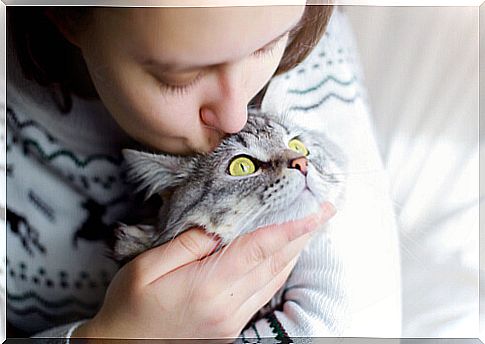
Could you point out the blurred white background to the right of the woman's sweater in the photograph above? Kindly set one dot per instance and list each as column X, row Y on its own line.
column 421, row 68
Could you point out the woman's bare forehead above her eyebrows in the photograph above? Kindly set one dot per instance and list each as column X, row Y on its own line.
column 187, row 37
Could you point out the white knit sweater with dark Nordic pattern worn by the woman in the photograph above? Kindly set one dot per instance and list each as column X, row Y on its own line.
column 64, row 178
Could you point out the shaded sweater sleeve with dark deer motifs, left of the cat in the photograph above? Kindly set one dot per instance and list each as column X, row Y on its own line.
column 65, row 189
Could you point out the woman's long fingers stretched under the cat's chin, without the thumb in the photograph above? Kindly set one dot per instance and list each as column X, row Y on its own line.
column 266, row 251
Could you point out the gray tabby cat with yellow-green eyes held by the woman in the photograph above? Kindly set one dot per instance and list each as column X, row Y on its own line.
column 271, row 172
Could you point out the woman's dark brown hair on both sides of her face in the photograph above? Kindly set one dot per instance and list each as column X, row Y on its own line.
column 48, row 58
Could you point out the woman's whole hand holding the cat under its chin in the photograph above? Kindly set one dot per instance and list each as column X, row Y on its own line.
column 179, row 290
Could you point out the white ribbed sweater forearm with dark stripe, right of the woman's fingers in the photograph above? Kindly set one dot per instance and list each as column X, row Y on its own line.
column 314, row 300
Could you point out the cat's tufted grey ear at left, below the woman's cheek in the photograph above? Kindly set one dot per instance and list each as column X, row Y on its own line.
column 155, row 173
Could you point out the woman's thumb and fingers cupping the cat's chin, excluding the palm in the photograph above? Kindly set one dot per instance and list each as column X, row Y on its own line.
column 216, row 273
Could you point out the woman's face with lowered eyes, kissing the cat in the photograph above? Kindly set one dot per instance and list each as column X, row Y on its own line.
column 178, row 79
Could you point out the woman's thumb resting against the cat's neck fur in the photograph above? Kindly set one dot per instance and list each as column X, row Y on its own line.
column 190, row 246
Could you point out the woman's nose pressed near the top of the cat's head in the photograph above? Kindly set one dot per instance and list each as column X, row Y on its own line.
column 226, row 109
